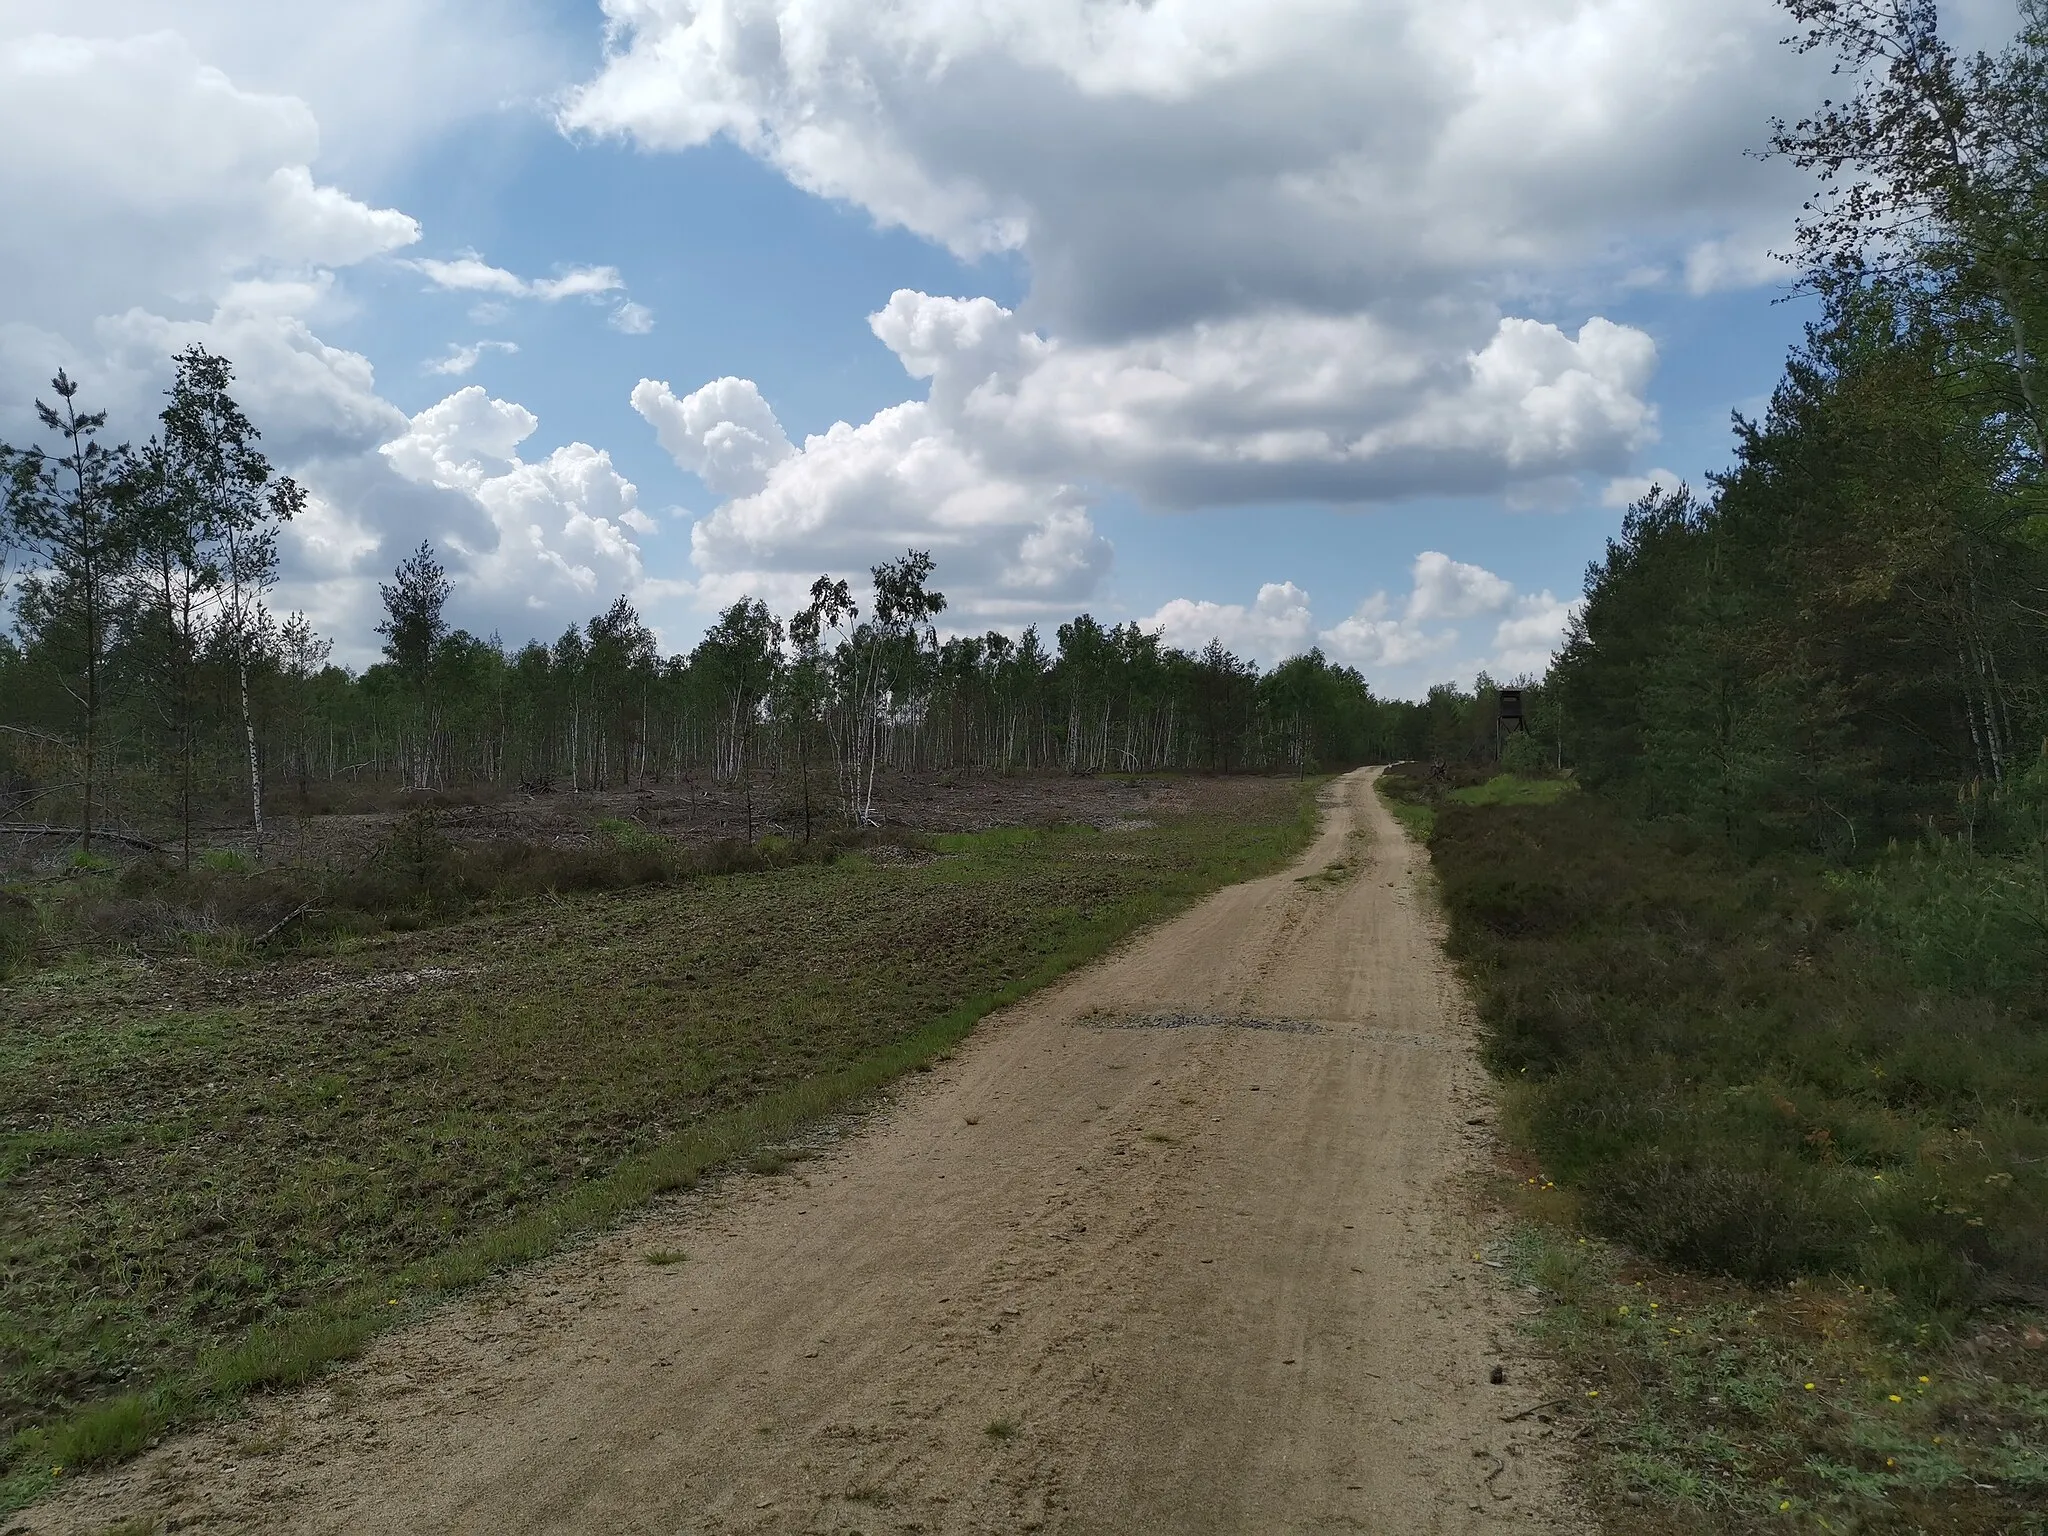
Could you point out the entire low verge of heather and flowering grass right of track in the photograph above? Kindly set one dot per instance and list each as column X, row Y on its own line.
column 1809, row 1166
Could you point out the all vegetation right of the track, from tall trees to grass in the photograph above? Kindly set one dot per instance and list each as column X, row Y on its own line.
column 1773, row 1000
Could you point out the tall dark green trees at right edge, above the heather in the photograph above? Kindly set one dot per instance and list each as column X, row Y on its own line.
column 1848, row 630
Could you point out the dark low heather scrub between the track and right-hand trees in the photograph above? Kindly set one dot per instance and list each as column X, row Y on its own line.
column 1734, row 1076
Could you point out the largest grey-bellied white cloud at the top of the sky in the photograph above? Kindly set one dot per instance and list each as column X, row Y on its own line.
column 1193, row 159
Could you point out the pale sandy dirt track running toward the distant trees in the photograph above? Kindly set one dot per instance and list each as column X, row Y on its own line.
column 1195, row 1275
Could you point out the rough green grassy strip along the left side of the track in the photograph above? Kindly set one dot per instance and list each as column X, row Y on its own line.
column 245, row 1177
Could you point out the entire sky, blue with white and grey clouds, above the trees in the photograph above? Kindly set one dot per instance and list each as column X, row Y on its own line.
column 1273, row 321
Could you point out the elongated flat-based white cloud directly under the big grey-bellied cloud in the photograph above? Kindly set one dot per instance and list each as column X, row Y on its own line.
column 1281, row 404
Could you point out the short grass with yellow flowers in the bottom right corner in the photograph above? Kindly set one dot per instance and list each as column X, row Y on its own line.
column 1713, row 1408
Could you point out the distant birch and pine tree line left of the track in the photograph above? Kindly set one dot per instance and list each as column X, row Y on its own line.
column 148, row 685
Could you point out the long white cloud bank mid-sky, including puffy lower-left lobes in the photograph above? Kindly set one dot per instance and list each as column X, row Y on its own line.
column 996, row 468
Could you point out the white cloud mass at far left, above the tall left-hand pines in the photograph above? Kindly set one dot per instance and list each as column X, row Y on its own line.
column 185, row 210
